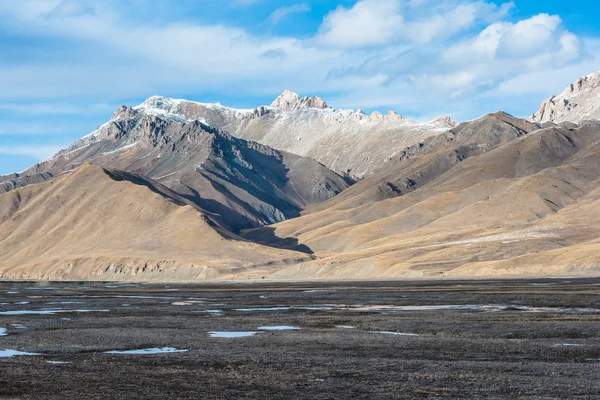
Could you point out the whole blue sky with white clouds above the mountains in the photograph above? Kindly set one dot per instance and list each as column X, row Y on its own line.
column 66, row 65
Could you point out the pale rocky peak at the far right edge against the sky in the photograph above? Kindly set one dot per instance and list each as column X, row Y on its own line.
column 580, row 101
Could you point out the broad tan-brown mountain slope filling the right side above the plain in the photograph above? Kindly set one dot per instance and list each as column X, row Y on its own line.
column 497, row 196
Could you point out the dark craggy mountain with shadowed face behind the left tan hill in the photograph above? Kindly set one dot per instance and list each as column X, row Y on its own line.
column 242, row 184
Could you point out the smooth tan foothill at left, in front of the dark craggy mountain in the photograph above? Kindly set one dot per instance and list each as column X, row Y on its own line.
column 99, row 224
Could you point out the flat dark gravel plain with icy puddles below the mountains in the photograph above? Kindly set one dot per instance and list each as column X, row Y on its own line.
column 537, row 339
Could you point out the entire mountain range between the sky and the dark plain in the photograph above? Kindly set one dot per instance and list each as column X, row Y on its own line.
column 179, row 190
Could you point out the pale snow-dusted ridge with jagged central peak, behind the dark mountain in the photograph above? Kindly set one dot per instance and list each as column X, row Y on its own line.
column 345, row 141
